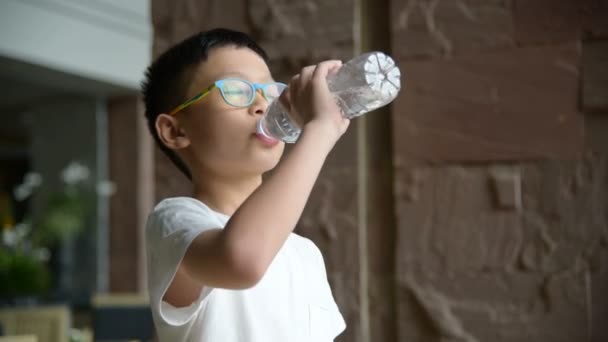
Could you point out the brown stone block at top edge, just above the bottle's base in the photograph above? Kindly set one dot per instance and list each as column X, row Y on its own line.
column 423, row 28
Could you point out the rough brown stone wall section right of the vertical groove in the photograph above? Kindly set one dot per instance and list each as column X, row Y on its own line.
column 501, row 172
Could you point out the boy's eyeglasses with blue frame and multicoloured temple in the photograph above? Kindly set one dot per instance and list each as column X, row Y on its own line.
column 237, row 92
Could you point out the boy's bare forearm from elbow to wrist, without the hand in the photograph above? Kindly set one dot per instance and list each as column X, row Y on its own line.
column 259, row 228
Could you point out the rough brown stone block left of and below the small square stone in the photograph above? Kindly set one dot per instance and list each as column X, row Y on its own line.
column 453, row 225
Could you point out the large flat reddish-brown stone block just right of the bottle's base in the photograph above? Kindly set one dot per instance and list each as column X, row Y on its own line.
column 500, row 106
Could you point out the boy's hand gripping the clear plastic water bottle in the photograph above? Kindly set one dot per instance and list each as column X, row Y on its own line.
column 311, row 104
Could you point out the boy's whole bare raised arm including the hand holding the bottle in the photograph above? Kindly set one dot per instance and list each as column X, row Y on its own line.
column 238, row 256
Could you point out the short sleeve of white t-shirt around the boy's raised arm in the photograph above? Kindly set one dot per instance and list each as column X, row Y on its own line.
column 170, row 230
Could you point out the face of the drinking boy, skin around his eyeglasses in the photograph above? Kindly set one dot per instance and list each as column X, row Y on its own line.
column 222, row 138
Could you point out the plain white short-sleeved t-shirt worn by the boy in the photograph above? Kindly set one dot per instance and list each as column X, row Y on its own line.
column 292, row 302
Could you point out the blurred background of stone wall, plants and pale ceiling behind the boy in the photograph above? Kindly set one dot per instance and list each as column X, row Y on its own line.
column 474, row 208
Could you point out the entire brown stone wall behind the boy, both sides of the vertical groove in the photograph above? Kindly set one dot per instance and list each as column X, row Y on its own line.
column 475, row 208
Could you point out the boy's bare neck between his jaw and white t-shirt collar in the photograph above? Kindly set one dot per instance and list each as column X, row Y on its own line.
column 225, row 195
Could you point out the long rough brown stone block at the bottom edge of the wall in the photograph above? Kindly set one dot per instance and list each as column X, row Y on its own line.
column 497, row 306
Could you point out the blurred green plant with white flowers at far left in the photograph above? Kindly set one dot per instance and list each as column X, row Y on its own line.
column 24, row 248
